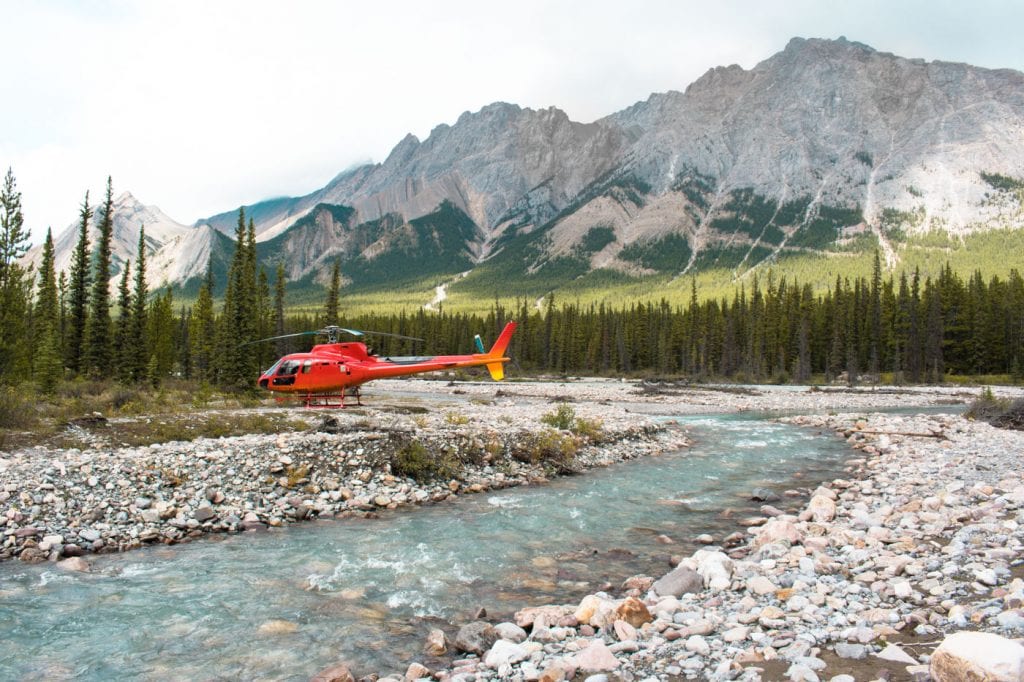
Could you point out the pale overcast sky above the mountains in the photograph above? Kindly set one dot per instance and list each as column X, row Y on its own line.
column 201, row 107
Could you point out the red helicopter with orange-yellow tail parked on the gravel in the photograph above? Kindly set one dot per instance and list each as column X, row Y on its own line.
column 323, row 377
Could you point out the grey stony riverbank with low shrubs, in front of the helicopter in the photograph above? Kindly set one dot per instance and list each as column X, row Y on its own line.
column 61, row 504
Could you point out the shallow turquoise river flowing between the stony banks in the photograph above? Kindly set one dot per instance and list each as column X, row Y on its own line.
column 285, row 604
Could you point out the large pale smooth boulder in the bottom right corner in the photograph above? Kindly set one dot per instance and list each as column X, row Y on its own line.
column 967, row 657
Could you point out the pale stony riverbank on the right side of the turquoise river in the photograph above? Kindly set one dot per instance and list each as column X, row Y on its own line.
column 923, row 539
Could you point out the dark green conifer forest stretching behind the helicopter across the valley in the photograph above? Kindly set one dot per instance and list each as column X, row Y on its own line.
column 56, row 327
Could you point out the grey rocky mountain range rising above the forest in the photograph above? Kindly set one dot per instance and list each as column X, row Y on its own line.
column 824, row 141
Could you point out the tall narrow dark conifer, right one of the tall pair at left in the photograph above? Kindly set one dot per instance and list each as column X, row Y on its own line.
column 100, row 354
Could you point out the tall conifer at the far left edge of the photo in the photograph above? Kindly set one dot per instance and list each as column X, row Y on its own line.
column 16, row 285
